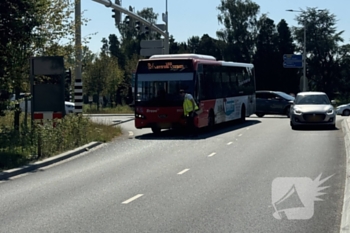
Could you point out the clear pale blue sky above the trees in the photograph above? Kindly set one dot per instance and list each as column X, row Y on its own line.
column 189, row 18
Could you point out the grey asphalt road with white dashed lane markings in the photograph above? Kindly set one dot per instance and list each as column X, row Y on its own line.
column 227, row 180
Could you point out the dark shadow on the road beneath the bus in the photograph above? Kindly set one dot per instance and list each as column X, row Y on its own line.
column 202, row 133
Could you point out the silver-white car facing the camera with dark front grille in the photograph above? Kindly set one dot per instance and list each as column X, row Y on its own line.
column 312, row 108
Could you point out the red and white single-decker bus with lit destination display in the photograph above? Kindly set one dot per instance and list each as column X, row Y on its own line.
column 224, row 91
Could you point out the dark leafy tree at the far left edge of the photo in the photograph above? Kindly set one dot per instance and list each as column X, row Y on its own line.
column 18, row 19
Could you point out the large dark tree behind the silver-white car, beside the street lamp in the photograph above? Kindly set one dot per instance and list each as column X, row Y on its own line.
column 322, row 49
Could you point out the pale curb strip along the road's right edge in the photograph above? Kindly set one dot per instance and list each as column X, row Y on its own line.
column 345, row 219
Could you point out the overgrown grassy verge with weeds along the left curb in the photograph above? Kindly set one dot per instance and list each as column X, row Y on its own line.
column 30, row 144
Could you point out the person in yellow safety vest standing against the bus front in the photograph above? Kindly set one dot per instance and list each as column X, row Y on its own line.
column 190, row 107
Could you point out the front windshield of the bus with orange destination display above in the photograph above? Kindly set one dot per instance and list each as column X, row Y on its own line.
column 158, row 82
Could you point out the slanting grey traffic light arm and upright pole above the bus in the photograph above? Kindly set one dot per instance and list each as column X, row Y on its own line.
column 108, row 3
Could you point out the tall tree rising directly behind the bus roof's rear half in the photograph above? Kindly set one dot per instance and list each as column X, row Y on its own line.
column 239, row 20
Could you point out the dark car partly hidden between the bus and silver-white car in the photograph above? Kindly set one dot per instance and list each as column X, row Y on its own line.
column 272, row 103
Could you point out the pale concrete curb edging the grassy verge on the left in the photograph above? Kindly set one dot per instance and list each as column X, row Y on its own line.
column 34, row 166
